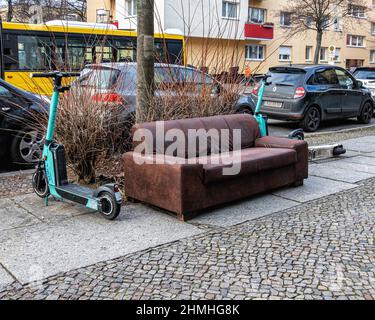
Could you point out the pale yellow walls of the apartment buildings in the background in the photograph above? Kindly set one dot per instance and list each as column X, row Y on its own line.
column 222, row 54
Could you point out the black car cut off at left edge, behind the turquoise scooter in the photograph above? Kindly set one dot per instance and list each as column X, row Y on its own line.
column 20, row 141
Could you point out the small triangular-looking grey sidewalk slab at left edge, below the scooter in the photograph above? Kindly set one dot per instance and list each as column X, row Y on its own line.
column 13, row 216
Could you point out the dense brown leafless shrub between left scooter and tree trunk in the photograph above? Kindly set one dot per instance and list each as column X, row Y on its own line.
column 89, row 131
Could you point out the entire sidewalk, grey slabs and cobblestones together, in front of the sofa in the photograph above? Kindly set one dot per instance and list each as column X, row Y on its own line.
column 312, row 242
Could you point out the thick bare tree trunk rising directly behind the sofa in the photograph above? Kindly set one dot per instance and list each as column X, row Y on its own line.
column 145, row 57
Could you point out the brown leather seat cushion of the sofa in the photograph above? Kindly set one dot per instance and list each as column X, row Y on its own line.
column 250, row 161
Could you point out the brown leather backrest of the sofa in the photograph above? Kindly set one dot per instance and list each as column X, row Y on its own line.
column 212, row 143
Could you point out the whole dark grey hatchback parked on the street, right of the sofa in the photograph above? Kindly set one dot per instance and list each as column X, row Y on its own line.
column 314, row 93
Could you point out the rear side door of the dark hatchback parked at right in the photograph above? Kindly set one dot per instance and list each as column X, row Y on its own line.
column 325, row 86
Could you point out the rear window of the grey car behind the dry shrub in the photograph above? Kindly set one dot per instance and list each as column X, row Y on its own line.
column 98, row 77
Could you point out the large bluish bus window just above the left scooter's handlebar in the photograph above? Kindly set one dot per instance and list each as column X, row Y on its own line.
column 33, row 53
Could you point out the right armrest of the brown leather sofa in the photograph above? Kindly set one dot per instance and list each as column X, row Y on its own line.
column 300, row 146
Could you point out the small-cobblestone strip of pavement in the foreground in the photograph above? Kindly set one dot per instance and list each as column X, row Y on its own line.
column 323, row 249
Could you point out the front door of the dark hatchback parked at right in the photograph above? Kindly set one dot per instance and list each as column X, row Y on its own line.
column 352, row 95
